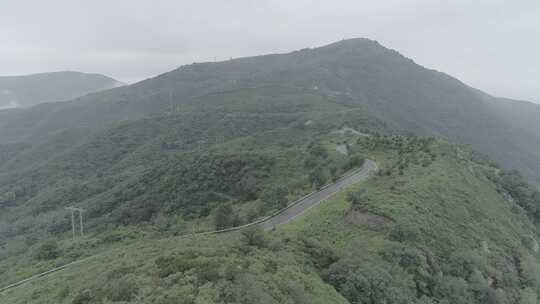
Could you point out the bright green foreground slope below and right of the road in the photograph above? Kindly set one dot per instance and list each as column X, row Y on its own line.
column 434, row 230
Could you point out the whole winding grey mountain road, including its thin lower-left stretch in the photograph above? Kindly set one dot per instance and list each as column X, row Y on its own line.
column 282, row 217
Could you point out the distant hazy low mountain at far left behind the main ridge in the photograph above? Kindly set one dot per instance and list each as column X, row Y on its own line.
column 30, row 90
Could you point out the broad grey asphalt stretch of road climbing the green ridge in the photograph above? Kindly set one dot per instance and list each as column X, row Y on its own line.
column 313, row 199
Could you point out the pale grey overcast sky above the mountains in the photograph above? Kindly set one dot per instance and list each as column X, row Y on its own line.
column 493, row 45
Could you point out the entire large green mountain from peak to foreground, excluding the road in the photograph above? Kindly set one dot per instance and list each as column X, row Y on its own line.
column 216, row 145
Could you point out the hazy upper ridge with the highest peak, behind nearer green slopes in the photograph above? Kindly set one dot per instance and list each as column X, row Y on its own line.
column 357, row 73
